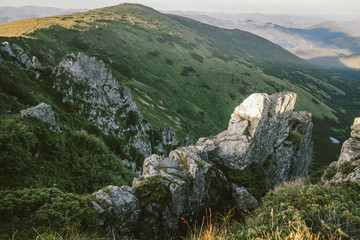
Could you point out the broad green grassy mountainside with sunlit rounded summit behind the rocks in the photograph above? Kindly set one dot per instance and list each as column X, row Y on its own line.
column 187, row 74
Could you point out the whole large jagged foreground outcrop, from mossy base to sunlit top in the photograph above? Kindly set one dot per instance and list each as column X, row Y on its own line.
column 266, row 143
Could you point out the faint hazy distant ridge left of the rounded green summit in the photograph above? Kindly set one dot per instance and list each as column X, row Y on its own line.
column 9, row 14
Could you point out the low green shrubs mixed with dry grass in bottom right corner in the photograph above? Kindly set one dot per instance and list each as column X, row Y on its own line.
column 326, row 211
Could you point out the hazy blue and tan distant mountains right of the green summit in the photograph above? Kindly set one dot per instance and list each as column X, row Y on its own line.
column 318, row 40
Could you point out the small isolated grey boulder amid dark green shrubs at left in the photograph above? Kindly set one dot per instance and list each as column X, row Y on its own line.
column 43, row 112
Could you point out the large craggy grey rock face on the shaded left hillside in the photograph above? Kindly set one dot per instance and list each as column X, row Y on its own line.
column 90, row 87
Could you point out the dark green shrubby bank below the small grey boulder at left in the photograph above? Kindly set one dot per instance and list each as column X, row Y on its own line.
column 34, row 156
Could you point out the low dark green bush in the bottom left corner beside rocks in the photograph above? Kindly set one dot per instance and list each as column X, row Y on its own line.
column 22, row 211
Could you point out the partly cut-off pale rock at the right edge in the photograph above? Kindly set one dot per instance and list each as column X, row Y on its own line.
column 347, row 168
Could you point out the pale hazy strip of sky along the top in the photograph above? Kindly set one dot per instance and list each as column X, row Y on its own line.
column 341, row 7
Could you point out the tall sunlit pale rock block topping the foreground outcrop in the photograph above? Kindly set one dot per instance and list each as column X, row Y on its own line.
column 264, row 130
